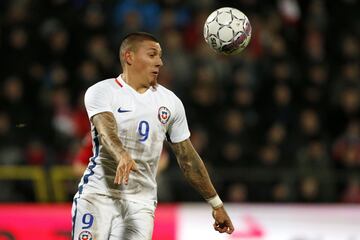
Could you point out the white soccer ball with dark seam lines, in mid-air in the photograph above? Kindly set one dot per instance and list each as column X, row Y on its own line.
column 227, row 30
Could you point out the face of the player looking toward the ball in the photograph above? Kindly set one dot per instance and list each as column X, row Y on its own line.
column 148, row 62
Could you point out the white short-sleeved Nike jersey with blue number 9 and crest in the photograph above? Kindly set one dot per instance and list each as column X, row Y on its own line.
column 143, row 121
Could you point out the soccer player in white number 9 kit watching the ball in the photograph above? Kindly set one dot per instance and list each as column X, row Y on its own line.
column 131, row 116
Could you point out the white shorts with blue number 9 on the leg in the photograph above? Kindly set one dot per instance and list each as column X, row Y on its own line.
column 100, row 217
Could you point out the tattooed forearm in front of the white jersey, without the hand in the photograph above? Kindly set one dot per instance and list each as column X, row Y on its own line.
column 107, row 129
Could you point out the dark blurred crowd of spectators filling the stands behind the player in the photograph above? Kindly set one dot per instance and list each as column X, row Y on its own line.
column 277, row 123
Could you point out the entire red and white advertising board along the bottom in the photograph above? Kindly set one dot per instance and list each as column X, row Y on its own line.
column 194, row 222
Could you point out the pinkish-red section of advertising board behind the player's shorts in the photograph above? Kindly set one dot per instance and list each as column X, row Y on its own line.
column 53, row 222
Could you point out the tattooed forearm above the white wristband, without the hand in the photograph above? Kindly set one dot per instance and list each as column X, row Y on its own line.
column 194, row 169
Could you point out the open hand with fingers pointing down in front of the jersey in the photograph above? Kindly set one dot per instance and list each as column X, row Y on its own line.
column 125, row 165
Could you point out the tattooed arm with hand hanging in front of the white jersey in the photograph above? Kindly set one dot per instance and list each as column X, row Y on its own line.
column 106, row 127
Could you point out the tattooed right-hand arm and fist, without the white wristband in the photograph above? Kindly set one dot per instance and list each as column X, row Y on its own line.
column 195, row 172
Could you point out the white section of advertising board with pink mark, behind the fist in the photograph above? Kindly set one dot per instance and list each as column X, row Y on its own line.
column 274, row 222
